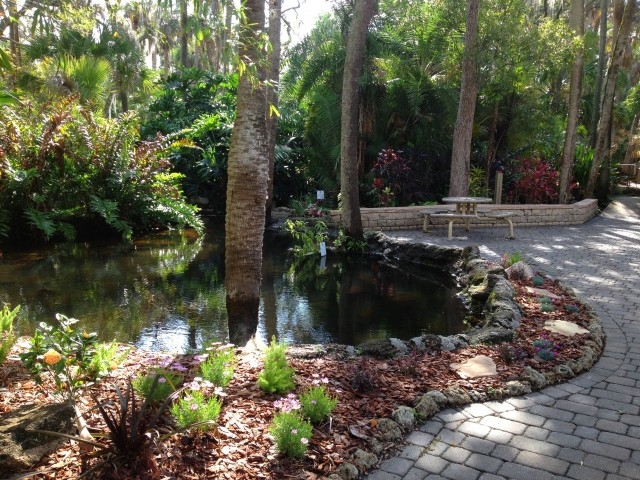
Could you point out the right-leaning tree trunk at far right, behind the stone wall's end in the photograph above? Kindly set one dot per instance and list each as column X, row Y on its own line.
column 604, row 125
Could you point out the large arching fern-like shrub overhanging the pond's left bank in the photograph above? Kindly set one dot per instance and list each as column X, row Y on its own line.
column 66, row 170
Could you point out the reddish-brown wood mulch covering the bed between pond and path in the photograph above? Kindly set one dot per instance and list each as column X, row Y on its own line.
column 241, row 447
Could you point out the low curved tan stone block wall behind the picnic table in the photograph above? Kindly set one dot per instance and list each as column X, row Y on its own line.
column 408, row 218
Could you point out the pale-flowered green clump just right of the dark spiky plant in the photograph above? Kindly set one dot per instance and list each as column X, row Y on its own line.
column 194, row 410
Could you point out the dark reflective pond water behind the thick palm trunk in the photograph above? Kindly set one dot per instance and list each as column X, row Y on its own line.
column 166, row 292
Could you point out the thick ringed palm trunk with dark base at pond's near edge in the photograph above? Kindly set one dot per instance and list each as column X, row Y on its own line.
column 247, row 187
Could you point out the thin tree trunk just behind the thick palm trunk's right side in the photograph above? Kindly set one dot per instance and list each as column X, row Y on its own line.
column 275, row 12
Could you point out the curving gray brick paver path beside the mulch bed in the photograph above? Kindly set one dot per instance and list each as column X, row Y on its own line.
column 586, row 429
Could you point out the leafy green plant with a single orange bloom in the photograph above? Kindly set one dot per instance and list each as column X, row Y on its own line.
column 62, row 351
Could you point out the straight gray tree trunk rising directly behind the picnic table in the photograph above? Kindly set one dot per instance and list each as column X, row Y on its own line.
column 463, row 129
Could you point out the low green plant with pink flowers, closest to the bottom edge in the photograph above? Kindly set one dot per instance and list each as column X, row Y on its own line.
column 290, row 430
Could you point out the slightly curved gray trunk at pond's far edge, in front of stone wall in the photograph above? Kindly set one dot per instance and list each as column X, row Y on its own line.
column 350, row 115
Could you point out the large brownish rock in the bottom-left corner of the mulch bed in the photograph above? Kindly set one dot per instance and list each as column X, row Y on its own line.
column 20, row 445
